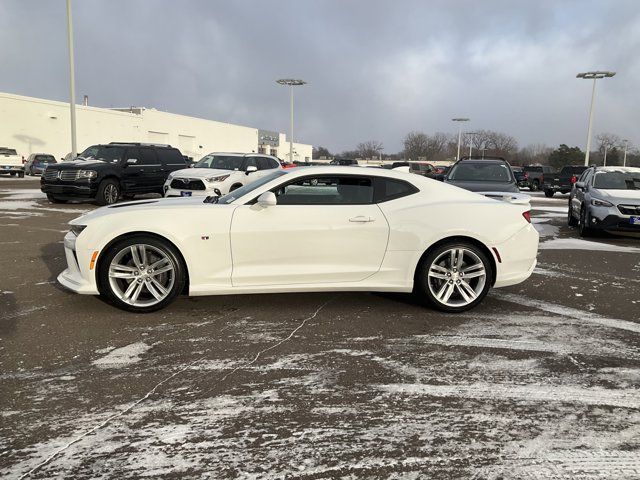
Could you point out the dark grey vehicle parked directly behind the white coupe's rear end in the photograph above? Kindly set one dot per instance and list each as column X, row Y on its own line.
column 482, row 175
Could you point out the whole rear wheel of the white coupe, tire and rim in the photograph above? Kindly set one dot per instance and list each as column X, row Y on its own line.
column 454, row 277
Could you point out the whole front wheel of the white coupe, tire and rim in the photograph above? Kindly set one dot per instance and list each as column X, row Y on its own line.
column 141, row 274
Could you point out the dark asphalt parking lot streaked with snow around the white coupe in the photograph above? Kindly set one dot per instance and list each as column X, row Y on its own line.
column 540, row 381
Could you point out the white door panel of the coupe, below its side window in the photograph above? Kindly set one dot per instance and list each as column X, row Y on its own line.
column 306, row 244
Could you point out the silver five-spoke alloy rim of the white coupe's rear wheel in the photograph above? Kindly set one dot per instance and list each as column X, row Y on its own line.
column 456, row 277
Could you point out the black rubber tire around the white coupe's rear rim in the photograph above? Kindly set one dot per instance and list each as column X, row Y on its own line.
column 422, row 287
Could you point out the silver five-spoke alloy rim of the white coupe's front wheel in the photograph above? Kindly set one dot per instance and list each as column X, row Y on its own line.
column 141, row 275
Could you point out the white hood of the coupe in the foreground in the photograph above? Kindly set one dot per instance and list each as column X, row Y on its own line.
column 142, row 207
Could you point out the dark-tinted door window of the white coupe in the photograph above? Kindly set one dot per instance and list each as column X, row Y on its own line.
column 323, row 190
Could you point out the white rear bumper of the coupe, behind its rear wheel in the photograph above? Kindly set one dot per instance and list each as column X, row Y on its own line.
column 518, row 257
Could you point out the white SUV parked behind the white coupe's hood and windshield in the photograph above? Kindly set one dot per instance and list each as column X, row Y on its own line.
column 219, row 173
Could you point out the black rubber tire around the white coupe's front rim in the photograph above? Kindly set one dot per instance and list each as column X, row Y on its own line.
column 179, row 269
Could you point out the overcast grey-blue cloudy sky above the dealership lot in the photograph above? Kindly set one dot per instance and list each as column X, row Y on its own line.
column 376, row 69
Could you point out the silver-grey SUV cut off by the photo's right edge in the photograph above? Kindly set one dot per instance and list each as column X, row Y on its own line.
column 606, row 198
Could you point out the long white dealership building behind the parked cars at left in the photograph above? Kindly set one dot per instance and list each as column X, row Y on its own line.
column 35, row 125
